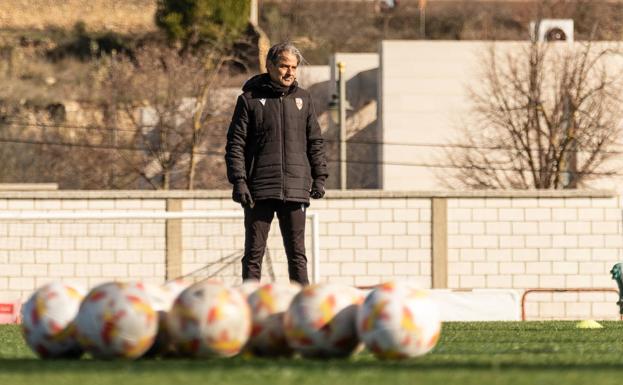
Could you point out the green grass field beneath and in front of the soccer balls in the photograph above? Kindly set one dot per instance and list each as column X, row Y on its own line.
column 468, row 353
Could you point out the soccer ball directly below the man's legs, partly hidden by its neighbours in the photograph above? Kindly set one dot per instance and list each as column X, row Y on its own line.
column 268, row 305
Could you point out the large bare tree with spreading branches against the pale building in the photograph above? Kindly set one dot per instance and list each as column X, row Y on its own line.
column 544, row 116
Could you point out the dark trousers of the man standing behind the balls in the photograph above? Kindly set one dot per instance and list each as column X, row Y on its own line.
column 257, row 222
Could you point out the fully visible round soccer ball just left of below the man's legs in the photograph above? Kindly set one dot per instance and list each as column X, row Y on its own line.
column 209, row 319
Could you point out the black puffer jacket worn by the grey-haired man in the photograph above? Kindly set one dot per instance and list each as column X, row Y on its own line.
column 274, row 142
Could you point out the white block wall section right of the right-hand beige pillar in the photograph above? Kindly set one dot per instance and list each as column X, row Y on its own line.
column 520, row 243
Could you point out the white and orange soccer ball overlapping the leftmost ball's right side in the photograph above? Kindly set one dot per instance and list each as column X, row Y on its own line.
column 117, row 320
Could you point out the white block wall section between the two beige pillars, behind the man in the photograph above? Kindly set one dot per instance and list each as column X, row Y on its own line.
column 363, row 241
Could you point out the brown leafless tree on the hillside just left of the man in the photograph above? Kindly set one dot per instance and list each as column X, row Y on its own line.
column 159, row 101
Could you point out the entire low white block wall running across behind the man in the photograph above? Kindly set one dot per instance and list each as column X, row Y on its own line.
column 497, row 240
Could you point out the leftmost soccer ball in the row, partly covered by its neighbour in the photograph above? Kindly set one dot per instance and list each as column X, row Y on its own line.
column 48, row 320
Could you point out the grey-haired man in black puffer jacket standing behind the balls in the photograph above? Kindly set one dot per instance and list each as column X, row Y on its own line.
column 275, row 160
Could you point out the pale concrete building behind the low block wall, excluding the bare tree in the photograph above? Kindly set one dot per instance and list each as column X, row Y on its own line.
column 423, row 95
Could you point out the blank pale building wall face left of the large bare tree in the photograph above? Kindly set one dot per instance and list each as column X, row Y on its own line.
column 423, row 94
